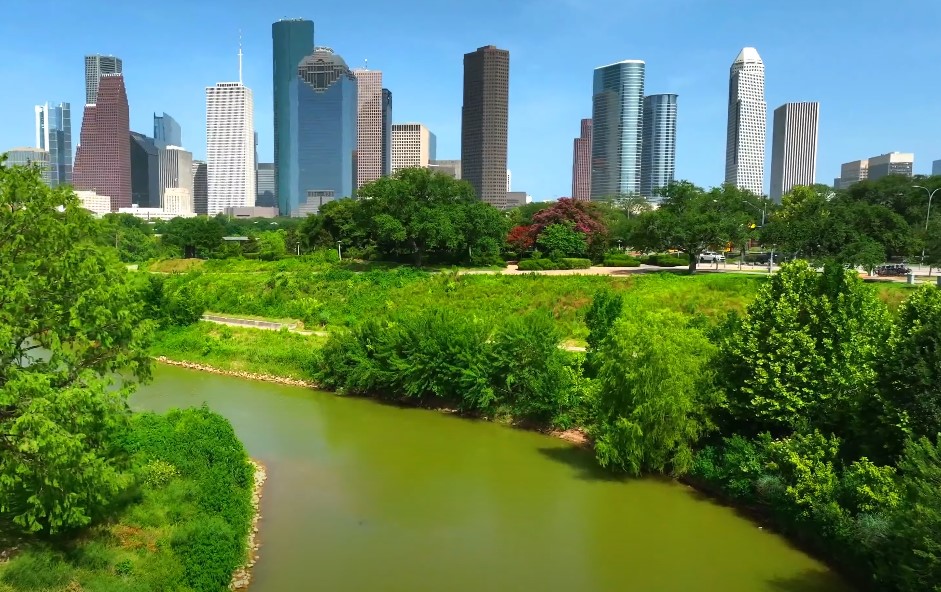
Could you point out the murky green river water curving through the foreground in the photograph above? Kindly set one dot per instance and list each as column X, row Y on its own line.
column 368, row 497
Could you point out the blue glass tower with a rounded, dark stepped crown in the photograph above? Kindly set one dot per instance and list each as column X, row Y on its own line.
column 324, row 105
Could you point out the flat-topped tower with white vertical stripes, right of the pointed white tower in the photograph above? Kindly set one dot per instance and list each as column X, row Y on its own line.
column 794, row 147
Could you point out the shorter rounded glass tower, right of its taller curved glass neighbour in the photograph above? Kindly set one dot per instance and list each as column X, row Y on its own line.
column 658, row 160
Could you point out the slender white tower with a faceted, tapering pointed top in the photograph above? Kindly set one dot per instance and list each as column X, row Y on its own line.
column 745, row 139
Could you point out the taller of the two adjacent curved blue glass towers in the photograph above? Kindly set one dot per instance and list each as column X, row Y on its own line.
column 617, row 109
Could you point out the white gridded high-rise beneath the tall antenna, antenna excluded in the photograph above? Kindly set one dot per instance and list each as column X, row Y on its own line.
column 230, row 150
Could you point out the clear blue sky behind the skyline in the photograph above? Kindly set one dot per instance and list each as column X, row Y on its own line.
column 872, row 65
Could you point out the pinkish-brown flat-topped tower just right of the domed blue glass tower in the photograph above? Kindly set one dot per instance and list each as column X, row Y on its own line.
column 368, row 125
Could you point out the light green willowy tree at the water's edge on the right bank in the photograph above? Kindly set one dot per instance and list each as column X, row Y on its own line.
column 655, row 393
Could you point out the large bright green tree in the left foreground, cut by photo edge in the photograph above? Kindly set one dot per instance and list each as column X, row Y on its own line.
column 69, row 322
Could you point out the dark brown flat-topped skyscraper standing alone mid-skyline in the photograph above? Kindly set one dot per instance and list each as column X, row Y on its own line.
column 484, row 122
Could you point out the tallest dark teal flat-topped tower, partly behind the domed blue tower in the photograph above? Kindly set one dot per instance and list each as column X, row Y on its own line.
column 293, row 40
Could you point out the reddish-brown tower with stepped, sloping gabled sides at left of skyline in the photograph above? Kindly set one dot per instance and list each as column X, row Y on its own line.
column 103, row 159
